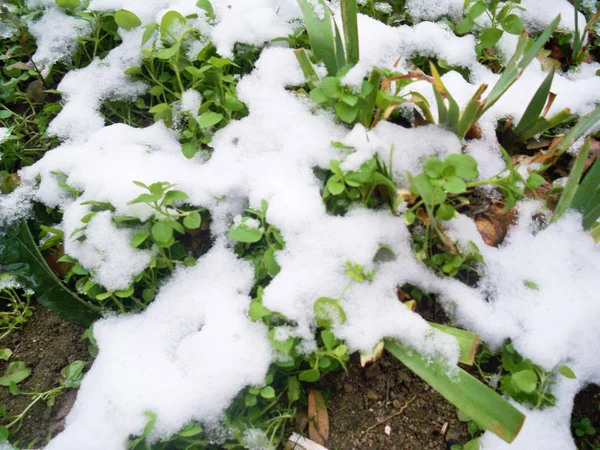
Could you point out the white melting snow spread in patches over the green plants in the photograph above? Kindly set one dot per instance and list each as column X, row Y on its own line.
column 194, row 348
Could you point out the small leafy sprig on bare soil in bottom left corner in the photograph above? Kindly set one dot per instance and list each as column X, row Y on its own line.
column 70, row 379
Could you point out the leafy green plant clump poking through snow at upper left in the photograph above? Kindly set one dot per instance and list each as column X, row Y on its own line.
column 174, row 74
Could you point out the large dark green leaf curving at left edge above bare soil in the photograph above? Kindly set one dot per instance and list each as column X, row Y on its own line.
column 20, row 256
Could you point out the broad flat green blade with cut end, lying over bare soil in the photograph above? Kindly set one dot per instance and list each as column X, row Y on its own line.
column 478, row 401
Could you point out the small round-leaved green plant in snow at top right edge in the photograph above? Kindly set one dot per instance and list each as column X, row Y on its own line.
column 501, row 17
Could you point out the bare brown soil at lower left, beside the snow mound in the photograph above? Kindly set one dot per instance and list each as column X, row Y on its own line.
column 46, row 343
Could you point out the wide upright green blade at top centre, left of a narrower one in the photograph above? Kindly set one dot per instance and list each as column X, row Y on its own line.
column 317, row 18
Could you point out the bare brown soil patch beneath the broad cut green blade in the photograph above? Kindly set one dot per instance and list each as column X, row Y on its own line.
column 386, row 406
